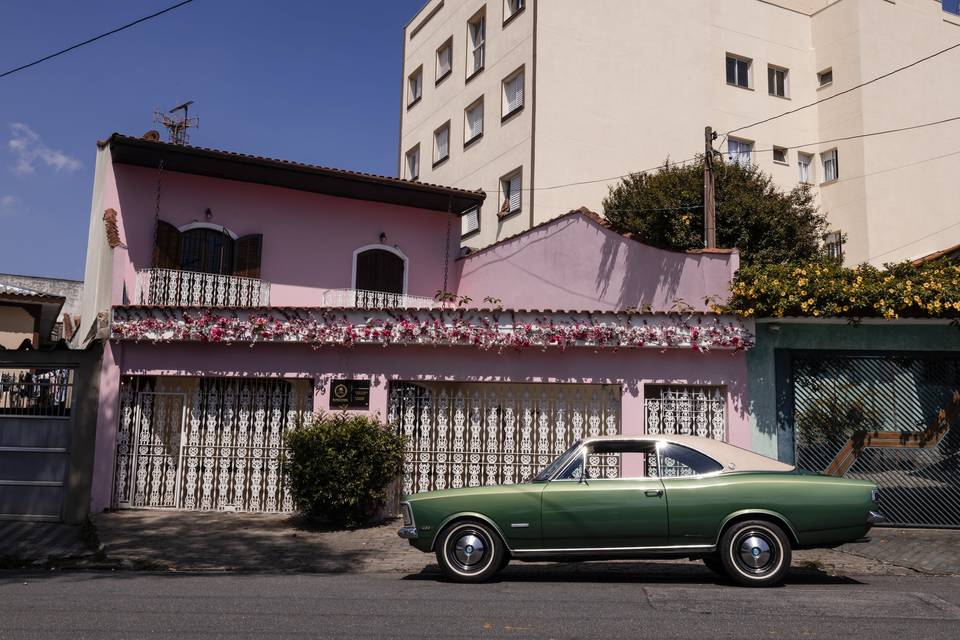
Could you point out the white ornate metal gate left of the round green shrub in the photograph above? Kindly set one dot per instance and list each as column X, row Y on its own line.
column 206, row 443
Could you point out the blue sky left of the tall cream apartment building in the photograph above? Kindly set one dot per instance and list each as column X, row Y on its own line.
column 306, row 80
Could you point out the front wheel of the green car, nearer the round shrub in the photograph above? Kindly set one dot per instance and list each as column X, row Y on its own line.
column 470, row 551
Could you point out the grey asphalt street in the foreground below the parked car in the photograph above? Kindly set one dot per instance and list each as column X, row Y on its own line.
column 522, row 604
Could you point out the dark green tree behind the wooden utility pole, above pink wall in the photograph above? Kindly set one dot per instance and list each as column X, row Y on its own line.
column 665, row 209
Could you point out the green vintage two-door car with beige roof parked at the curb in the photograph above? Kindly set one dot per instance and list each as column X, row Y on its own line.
column 618, row 497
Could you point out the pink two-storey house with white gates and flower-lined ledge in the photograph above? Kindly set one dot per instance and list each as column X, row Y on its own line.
column 238, row 295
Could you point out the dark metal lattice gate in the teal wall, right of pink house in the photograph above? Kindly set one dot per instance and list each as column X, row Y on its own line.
column 888, row 419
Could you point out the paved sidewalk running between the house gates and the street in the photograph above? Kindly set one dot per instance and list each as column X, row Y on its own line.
column 277, row 543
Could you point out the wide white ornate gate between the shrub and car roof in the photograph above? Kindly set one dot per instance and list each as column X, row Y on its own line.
column 472, row 434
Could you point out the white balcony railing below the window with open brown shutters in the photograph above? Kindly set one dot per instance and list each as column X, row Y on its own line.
column 169, row 287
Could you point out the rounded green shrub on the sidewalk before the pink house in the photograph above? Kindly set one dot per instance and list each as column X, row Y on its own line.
column 340, row 465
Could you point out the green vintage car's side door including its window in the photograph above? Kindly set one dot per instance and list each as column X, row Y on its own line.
column 602, row 512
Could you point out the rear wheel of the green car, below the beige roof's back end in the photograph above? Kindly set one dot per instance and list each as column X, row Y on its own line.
column 755, row 553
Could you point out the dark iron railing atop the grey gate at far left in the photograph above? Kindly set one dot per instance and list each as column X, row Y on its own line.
column 46, row 393
